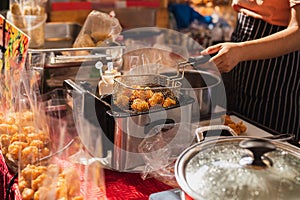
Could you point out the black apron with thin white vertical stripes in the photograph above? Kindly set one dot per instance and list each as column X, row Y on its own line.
column 266, row 91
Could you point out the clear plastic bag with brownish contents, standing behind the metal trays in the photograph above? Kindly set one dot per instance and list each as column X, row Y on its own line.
column 97, row 27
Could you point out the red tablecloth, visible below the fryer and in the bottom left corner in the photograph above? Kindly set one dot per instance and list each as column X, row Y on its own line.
column 119, row 185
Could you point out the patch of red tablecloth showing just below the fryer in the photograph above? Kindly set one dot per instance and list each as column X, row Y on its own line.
column 123, row 186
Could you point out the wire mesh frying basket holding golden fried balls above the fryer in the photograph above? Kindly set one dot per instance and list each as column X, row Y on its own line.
column 147, row 92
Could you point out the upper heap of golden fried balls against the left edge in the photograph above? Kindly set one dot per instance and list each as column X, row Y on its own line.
column 21, row 141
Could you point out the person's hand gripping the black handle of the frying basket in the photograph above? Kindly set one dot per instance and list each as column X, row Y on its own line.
column 228, row 55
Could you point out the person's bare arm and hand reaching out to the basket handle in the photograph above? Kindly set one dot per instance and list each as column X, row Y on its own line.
column 230, row 54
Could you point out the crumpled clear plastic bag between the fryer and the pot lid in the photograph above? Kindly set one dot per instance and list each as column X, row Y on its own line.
column 161, row 149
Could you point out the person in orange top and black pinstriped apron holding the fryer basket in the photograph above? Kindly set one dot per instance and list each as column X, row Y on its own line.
column 263, row 61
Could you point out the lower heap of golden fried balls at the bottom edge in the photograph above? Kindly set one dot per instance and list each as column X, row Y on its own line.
column 41, row 182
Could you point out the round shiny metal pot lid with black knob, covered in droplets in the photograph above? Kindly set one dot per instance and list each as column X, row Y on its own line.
column 235, row 168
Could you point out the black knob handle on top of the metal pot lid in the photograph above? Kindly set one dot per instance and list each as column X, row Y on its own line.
column 258, row 147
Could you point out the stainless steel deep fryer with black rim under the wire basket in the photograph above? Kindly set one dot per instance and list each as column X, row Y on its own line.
column 121, row 131
